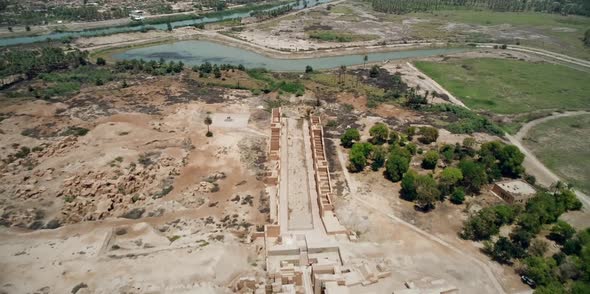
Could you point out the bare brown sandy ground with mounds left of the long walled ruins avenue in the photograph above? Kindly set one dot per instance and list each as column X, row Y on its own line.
column 118, row 172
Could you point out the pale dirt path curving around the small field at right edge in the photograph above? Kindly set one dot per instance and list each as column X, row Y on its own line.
column 533, row 165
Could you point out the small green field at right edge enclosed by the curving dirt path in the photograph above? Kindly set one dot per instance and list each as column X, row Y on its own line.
column 562, row 145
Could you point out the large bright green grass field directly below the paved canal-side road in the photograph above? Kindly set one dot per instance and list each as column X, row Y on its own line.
column 510, row 86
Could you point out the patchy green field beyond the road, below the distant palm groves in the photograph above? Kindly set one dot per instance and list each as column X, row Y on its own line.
column 553, row 32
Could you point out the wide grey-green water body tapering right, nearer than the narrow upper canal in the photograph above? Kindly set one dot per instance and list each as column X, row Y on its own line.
column 196, row 52
